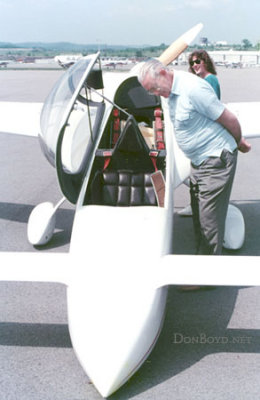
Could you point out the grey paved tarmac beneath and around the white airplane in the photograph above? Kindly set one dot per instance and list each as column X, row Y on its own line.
column 210, row 342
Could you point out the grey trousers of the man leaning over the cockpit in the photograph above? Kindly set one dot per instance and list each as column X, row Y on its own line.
column 210, row 188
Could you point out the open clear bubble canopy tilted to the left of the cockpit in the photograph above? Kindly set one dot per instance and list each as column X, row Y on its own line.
column 69, row 121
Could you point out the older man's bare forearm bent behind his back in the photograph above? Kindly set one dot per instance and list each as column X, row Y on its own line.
column 231, row 123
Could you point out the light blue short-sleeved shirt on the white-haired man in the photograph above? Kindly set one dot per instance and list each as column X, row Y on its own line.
column 194, row 108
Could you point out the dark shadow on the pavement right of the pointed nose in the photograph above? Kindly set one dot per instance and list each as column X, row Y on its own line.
column 195, row 327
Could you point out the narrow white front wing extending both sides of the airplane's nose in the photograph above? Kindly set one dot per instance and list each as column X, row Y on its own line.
column 170, row 269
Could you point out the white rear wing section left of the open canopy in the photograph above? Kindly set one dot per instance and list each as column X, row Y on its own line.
column 20, row 117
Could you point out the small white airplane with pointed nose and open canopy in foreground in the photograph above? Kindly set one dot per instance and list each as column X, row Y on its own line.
column 116, row 158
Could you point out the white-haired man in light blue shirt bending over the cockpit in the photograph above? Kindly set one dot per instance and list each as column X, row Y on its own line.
column 209, row 134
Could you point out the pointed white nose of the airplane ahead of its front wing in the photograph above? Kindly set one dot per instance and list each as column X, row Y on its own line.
column 113, row 326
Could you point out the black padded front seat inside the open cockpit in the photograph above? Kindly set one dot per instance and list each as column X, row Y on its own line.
column 126, row 181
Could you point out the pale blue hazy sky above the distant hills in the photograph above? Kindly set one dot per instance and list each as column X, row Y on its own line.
column 132, row 22
